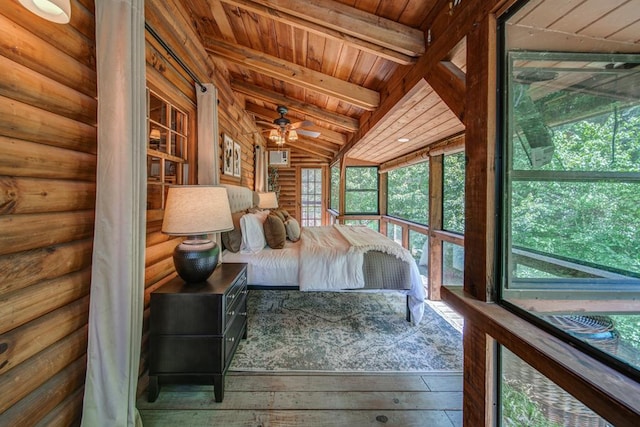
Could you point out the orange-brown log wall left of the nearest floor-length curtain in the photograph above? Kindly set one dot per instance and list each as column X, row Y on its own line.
column 47, row 197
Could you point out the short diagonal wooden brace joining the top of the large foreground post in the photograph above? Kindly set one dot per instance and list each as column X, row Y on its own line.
column 449, row 82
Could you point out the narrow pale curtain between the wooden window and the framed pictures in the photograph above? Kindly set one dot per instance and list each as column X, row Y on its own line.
column 208, row 139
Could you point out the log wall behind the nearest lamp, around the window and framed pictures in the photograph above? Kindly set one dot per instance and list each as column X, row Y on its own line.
column 171, row 81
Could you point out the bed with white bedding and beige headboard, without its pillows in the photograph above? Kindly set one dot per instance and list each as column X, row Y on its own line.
column 331, row 258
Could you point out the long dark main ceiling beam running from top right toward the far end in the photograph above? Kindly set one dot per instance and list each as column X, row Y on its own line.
column 446, row 27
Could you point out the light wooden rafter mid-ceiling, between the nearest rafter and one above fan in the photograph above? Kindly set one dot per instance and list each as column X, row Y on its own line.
column 295, row 74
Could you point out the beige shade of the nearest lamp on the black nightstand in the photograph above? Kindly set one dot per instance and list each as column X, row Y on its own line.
column 193, row 210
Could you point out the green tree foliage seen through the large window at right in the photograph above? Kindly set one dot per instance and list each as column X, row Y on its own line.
column 591, row 220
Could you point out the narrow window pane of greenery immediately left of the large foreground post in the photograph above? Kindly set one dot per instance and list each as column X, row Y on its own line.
column 453, row 193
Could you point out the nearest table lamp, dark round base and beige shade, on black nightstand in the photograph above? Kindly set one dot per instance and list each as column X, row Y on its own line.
column 196, row 211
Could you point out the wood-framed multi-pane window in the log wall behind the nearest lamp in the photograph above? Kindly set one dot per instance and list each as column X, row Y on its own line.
column 166, row 149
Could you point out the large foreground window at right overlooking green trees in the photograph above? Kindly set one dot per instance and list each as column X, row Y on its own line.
column 571, row 180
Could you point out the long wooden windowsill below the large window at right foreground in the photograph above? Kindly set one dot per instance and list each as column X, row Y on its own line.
column 606, row 391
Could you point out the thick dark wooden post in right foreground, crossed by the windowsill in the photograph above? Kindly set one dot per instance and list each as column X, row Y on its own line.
column 479, row 276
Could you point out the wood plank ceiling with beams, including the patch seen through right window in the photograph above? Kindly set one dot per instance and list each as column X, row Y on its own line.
column 336, row 64
